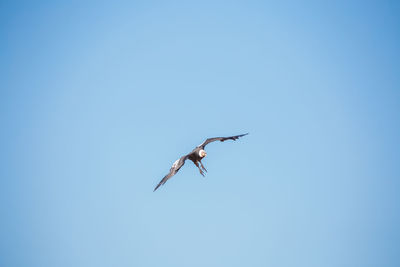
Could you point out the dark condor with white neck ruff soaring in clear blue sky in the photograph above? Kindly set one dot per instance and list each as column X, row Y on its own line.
column 197, row 154
